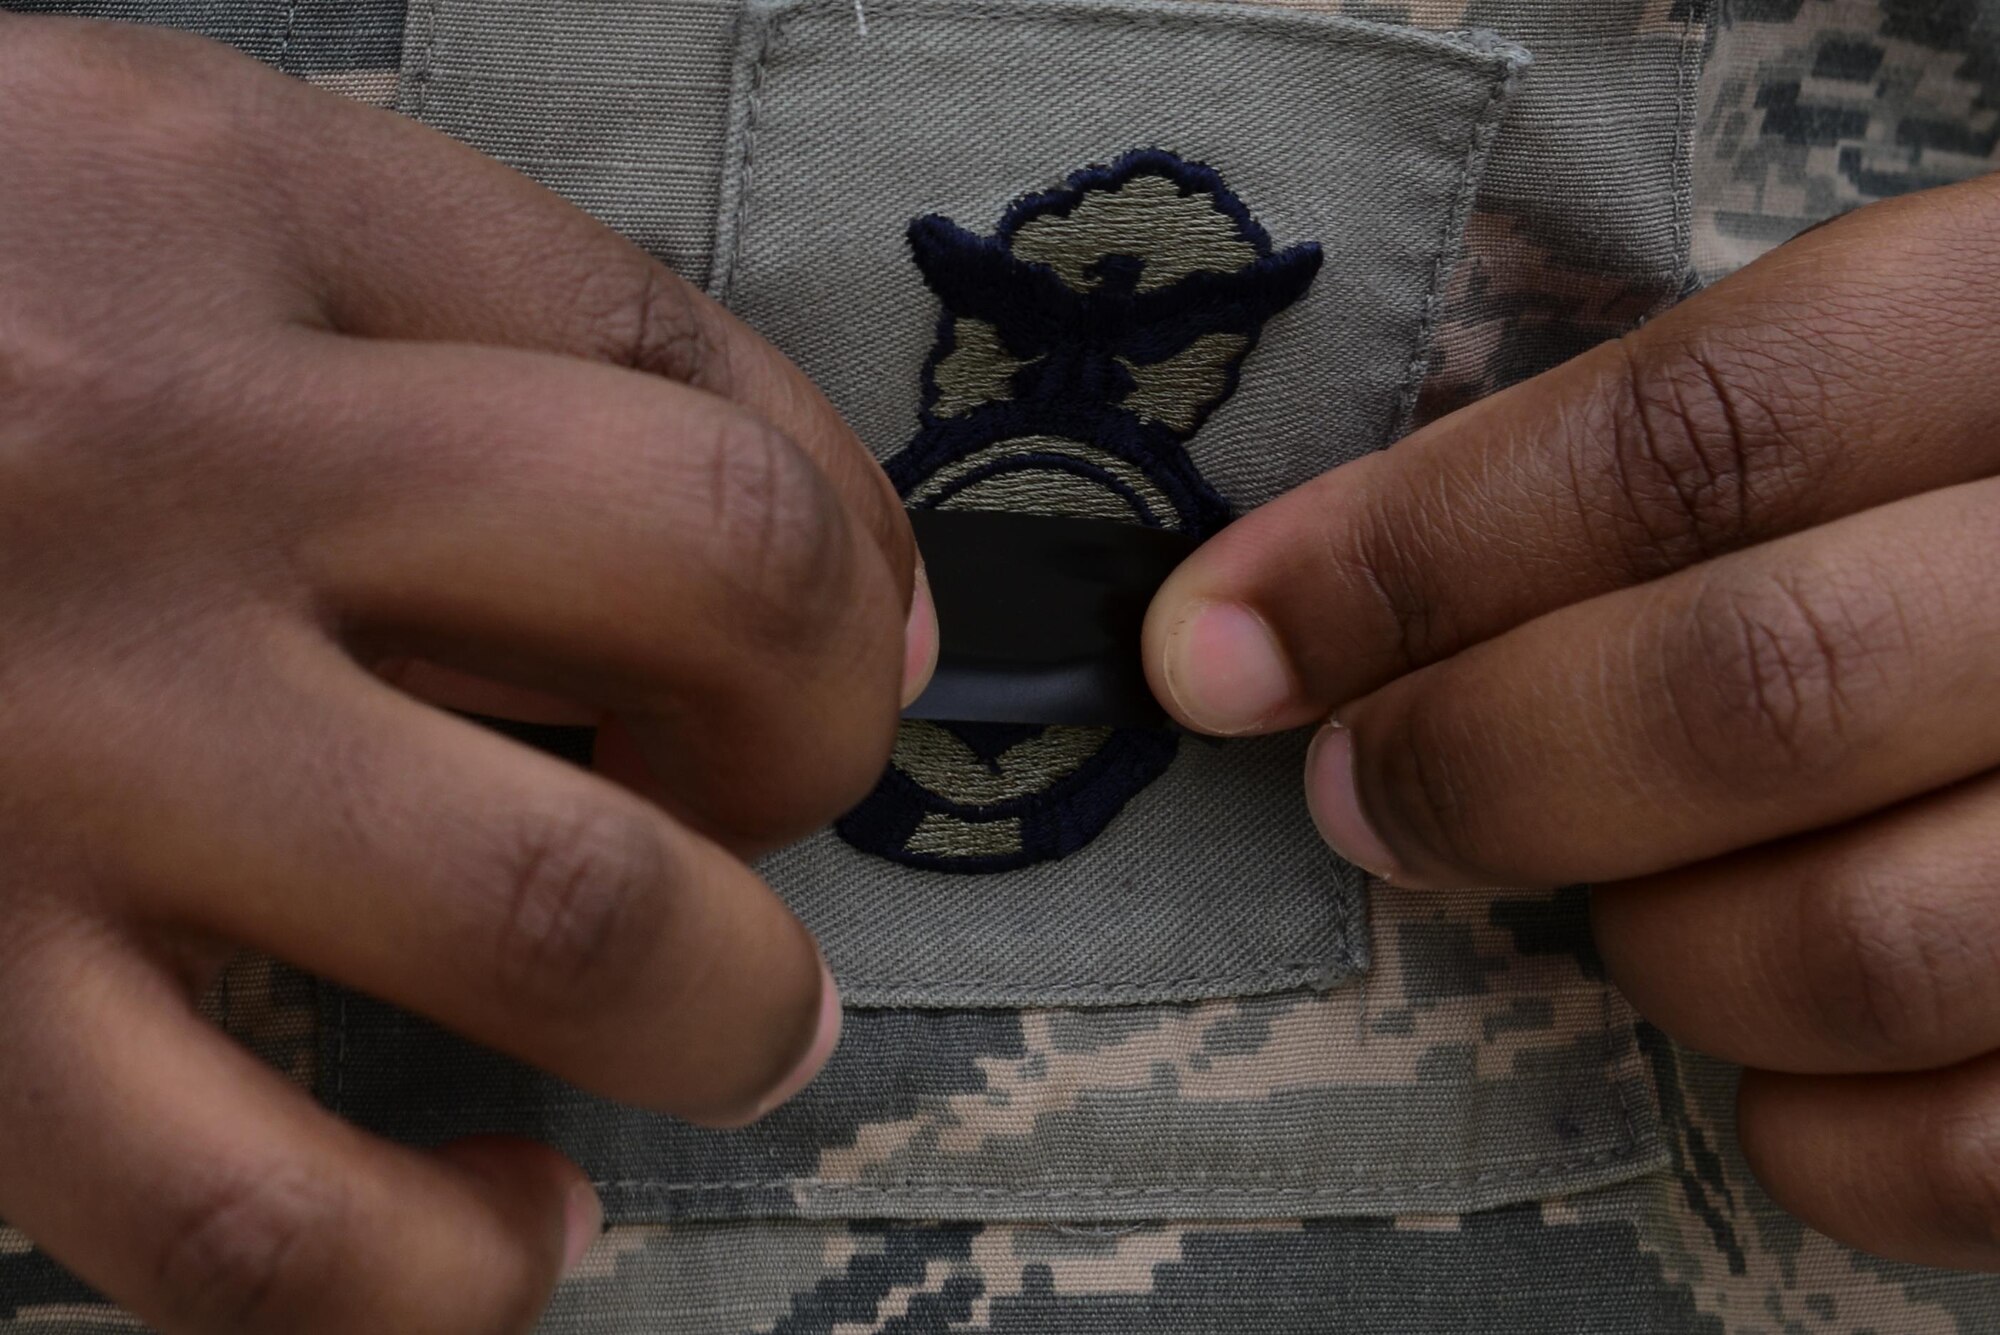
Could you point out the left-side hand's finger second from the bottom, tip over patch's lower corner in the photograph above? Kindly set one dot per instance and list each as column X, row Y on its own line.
column 321, row 816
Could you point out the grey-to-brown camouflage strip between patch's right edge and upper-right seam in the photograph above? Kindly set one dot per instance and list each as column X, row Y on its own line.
column 1581, row 229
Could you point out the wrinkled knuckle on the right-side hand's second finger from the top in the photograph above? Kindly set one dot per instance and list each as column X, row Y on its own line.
column 1765, row 684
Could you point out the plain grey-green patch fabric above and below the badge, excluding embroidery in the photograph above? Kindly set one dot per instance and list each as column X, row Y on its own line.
column 1213, row 880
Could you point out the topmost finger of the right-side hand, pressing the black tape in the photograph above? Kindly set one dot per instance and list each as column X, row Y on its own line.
column 1827, row 379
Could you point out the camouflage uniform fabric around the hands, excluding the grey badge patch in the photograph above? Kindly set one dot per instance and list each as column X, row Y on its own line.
column 1651, row 147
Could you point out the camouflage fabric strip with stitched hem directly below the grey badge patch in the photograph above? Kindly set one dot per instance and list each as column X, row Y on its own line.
column 1479, row 1062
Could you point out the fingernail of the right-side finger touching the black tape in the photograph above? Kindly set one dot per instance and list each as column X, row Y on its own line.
column 1225, row 670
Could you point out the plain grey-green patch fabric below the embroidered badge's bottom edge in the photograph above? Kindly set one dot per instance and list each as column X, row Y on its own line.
column 1209, row 884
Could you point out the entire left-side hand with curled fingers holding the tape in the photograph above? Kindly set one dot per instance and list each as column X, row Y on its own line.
column 291, row 387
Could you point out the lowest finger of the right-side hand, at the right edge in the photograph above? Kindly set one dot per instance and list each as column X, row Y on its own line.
column 1901, row 1166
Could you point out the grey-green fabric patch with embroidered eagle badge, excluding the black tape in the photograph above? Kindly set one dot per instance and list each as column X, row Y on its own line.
column 1103, row 259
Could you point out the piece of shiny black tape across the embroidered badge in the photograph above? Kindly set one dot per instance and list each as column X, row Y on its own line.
column 1039, row 617
